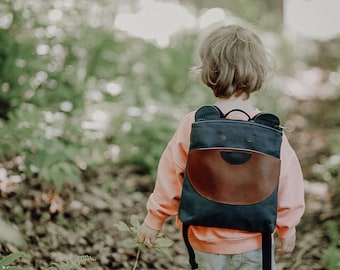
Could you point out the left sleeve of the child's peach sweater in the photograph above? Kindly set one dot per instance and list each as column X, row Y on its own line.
column 164, row 200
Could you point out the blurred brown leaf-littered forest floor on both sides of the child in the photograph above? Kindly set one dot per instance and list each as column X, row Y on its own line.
column 85, row 226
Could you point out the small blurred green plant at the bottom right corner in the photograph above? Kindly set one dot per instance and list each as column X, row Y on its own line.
column 331, row 255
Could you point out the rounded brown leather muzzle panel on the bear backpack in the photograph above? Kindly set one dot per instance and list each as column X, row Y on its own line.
column 216, row 179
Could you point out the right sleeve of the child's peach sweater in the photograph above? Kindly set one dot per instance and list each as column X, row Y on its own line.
column 291, row 204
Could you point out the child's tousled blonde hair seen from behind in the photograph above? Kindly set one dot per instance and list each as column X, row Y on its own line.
column 234, row 61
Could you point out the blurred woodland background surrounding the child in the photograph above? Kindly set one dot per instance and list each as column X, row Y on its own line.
column 91, row 92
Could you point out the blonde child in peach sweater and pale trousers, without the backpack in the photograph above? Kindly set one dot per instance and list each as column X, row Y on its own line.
column 234, row 64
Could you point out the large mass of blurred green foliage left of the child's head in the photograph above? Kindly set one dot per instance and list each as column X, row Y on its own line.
column 52, row 81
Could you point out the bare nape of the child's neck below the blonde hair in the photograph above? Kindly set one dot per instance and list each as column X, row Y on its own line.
column 228, row 104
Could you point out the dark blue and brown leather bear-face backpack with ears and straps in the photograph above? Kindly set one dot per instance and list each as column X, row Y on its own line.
column 232, row 176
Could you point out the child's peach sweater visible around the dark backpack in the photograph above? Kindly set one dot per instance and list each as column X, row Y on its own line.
column 164, row 201
